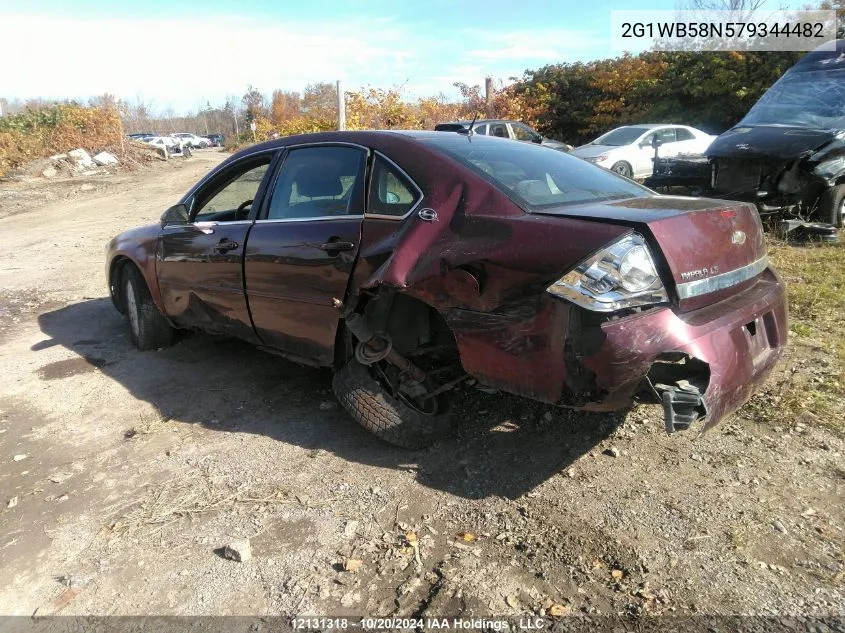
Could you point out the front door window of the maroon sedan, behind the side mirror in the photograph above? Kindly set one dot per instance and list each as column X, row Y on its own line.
column 230, row 197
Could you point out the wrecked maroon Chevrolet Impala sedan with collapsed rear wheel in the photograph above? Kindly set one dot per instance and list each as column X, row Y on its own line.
column 410, row 261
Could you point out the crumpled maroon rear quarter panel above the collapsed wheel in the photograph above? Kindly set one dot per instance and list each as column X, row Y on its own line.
column 484, row 264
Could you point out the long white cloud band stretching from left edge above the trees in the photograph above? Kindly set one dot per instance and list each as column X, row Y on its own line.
column 181, row 63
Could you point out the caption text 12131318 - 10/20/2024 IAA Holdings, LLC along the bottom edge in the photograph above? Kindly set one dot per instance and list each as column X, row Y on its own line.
column 392, row 624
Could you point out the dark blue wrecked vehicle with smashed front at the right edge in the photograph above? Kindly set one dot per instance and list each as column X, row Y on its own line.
column 787, row 155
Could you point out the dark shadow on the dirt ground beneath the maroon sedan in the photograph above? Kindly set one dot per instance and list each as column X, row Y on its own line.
column 504, row 445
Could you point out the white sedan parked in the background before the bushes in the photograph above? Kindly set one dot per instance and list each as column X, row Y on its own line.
column 629, row 150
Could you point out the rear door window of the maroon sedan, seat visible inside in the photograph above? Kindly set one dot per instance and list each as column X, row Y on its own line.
column 316, row 182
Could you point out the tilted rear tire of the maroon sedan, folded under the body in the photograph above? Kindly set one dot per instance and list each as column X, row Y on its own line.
column 388, row 418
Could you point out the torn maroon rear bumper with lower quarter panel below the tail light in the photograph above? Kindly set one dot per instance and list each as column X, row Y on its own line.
column 557, row 353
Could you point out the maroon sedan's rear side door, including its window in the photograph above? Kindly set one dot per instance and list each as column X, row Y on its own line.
column 302, row 249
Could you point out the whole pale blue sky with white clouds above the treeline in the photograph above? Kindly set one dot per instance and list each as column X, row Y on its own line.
column 181, row 54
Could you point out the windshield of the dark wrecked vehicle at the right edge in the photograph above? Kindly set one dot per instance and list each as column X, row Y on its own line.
column 812, row 99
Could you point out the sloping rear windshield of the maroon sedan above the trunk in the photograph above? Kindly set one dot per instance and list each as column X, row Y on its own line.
column 537, row 177
